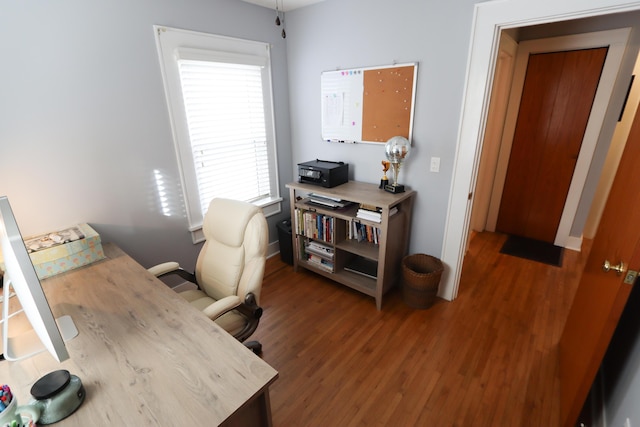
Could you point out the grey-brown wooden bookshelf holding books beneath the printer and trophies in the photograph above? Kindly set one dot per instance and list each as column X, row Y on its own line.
column 332, row 227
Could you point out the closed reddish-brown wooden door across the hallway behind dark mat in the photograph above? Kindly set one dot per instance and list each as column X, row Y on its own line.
column 557, row 95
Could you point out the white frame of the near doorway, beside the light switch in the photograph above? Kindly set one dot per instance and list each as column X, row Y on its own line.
column 489, row 19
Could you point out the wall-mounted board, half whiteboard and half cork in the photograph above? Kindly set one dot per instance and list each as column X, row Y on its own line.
column 368, row 105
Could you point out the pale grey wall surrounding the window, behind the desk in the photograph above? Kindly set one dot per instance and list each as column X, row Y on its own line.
column 84, row 122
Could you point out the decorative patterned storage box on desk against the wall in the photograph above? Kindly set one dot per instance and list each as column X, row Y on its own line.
column 57, row 252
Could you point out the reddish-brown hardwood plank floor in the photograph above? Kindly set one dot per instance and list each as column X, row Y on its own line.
column 487, row 359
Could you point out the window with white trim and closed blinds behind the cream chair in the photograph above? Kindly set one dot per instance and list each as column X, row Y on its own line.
column 219, row 95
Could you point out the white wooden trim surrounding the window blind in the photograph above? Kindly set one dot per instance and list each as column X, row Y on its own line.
column 174, row 44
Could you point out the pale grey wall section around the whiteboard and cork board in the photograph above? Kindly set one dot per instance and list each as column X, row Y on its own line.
column 357, row 33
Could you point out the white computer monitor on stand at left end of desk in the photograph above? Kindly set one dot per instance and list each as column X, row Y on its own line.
column 47, row 333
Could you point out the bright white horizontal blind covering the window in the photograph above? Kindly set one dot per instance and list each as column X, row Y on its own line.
column 226, row 121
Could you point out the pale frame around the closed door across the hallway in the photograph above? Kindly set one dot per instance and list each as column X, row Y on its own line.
column 616, row 40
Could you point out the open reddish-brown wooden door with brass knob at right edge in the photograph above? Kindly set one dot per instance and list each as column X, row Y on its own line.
column 601, row 296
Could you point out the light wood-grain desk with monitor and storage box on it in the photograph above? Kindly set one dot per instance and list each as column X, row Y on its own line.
column 145, row 356
